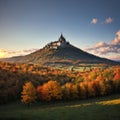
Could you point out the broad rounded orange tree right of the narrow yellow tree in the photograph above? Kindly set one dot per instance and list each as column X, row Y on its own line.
column 51, row 91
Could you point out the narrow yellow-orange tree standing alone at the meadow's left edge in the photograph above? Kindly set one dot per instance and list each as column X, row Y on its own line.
column 29, row 93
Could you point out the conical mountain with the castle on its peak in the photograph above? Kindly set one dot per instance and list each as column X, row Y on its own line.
column 60, row 52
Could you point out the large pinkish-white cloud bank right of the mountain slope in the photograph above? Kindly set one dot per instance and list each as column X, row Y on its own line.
column 104, row 49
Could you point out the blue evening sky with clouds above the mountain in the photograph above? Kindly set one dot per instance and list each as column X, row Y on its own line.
column 91, row 25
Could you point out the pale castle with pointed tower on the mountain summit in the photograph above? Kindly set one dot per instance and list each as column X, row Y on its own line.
column 57, row 44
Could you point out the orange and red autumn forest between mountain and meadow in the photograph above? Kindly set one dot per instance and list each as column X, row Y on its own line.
column 33, row 83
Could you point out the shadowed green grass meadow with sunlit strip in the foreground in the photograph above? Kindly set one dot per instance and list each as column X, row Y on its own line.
column 104, row 108
